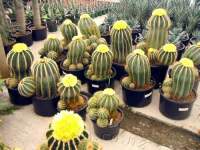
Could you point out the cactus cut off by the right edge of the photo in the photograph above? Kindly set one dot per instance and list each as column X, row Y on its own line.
column 193, row 53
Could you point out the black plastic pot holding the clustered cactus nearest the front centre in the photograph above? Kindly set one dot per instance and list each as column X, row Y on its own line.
column 109, row 132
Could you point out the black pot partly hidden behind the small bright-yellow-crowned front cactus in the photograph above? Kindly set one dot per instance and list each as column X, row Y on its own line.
column 78, row 73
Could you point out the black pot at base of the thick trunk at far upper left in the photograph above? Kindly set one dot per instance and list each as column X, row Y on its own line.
column 27, row 38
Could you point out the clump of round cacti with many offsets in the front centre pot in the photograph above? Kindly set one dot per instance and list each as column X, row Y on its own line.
column 102, row 105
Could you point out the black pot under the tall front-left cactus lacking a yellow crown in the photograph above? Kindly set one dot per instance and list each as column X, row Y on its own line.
column 44, row 106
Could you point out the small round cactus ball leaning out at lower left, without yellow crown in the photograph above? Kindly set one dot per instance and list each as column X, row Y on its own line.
column 26, row 87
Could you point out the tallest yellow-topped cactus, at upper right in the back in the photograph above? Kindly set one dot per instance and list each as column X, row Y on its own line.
column 158, row 26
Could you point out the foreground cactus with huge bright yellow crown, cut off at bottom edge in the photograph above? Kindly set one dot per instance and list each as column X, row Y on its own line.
column 66, row 131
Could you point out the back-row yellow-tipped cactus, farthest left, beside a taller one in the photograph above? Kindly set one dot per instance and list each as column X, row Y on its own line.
column 68, row 30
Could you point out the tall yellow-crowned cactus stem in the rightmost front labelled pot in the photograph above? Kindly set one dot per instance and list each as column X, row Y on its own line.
column 183, row 78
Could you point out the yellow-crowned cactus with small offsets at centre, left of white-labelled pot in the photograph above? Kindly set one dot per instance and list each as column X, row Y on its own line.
column 101, row 64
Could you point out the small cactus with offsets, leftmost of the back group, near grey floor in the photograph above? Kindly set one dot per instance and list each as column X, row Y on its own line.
column 52, row 47
